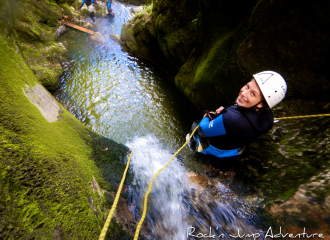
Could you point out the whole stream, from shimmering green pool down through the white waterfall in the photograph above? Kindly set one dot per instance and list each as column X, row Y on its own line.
column 132, row 102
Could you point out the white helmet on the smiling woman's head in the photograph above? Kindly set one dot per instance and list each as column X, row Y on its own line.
column 272, row 86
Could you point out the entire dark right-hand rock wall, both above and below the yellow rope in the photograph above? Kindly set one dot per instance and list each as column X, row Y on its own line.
column 222, row 45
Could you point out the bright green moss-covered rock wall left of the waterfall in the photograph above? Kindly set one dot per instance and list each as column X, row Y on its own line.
column 48, row 158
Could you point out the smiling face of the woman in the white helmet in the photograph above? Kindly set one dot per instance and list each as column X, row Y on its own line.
column 249, row 95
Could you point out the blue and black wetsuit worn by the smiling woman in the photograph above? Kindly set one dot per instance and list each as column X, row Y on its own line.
column 235, row 128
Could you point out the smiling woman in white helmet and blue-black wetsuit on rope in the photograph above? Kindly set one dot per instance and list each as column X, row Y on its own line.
column 227, row 131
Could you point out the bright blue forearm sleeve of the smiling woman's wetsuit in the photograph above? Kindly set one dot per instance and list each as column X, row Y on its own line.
column 213, row 128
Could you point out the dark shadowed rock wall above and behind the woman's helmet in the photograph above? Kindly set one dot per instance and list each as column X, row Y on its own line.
column 215, row 47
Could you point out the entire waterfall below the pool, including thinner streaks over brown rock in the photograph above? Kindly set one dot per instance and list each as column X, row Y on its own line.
column 172, row 208
